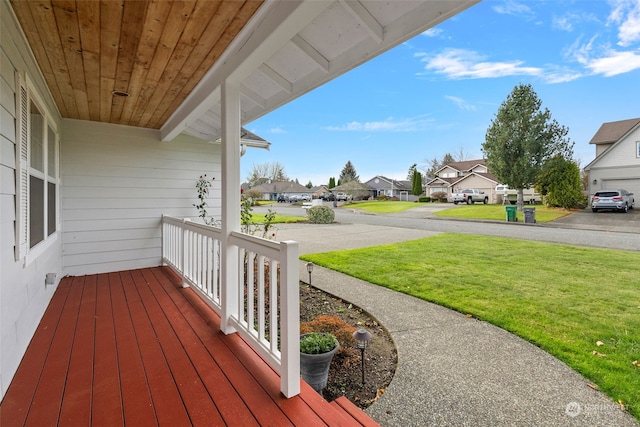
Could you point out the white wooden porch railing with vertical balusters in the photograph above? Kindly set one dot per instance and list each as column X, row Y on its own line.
column 267, row 289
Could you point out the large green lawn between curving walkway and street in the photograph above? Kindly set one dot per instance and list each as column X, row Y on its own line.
column 562, row 298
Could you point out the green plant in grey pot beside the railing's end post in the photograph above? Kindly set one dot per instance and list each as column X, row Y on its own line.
column 316, row 352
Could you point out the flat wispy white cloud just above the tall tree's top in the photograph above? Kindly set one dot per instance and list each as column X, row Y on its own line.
column 465, row 64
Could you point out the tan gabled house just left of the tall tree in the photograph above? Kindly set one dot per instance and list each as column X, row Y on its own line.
column 457, row 176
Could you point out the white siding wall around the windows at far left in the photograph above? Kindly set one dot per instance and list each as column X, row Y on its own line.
column 23, row 294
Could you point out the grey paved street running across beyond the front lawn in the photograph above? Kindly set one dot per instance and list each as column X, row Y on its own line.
column 604, row 230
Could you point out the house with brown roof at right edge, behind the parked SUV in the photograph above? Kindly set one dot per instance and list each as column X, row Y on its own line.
column 617, row 162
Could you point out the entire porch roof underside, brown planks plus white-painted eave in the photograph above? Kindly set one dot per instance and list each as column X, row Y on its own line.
column 170, row 57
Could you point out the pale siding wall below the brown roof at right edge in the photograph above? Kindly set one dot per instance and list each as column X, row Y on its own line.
column 619, row 167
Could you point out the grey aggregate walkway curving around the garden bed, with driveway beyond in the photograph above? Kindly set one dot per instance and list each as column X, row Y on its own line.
column 453, row 370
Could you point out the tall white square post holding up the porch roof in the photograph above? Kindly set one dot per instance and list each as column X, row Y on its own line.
column 230, row 200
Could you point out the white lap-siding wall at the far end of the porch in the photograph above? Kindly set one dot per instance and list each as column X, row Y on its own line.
column 117, row 183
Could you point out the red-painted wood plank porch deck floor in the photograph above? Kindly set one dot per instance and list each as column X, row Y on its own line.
column 133, row 348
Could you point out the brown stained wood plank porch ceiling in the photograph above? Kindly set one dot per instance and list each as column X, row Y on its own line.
column 129, row 62
